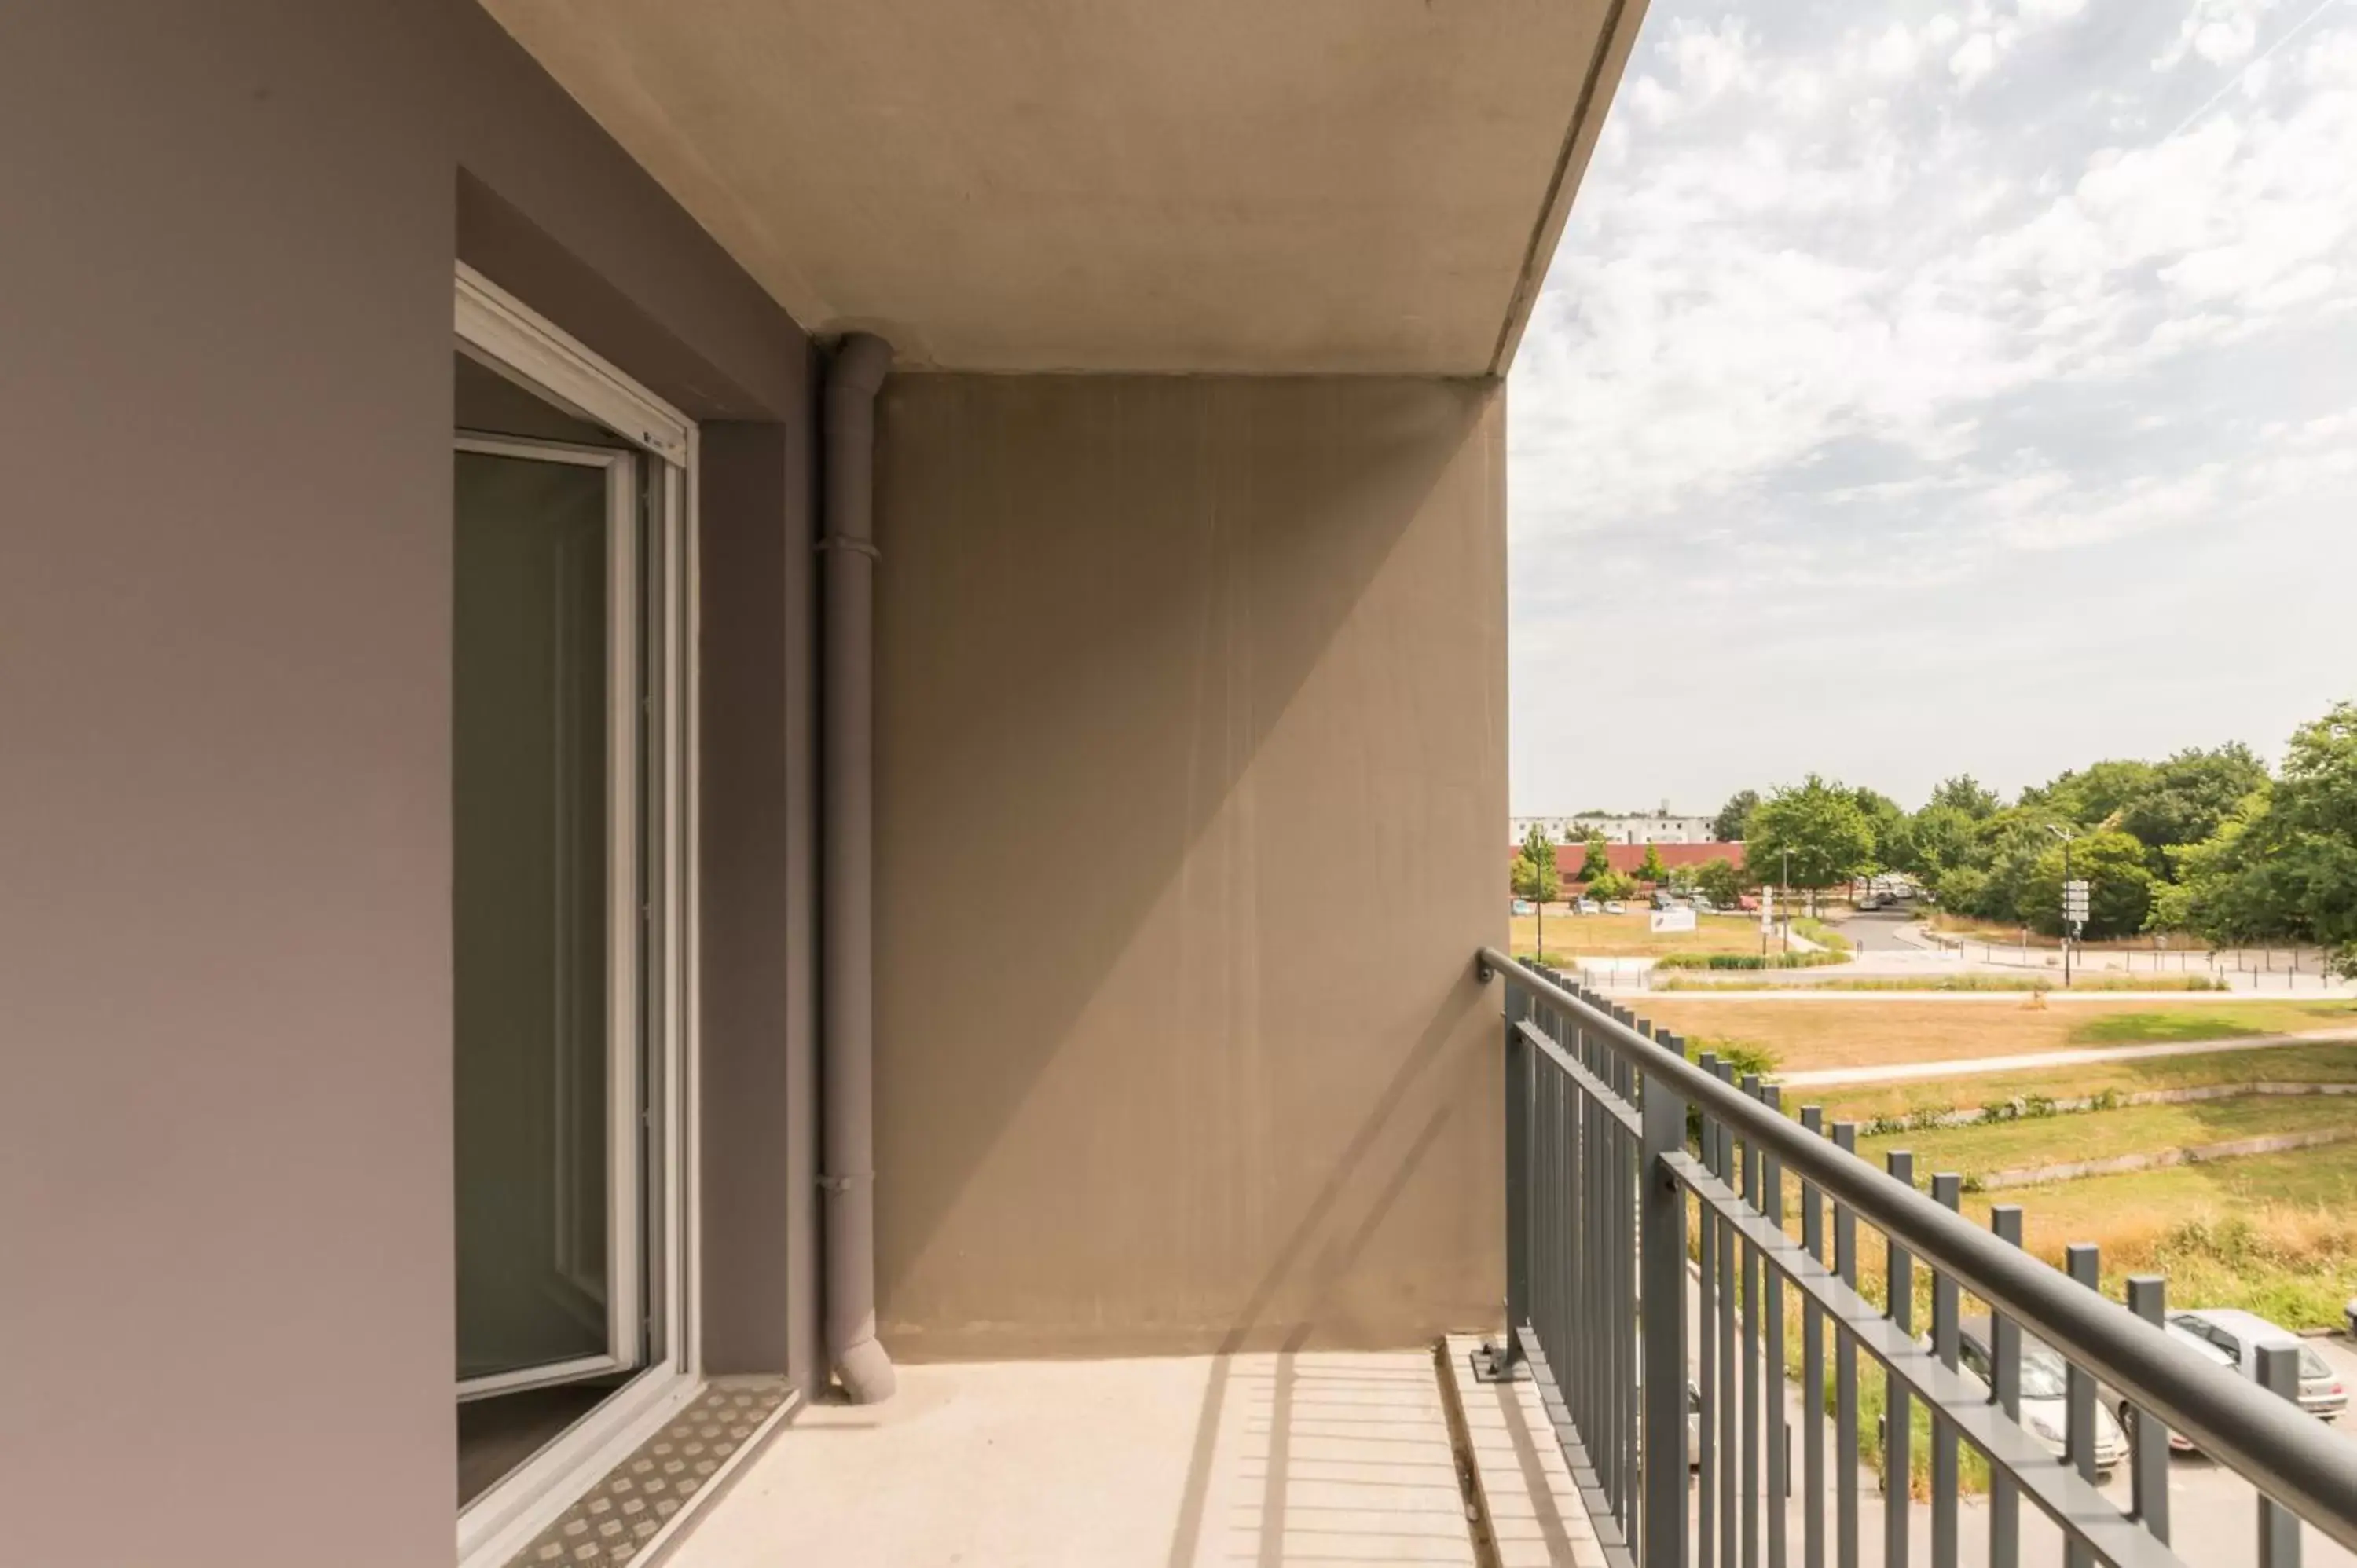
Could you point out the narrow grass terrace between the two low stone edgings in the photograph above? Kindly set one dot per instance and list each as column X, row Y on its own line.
column 2099, row 1135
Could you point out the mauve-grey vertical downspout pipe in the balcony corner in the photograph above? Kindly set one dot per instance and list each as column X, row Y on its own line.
column 847, row 871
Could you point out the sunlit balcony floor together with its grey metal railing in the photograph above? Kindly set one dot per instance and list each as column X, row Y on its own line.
column 1632, row 1178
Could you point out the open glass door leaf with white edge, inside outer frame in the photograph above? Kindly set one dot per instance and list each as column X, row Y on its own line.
column 546, row 1065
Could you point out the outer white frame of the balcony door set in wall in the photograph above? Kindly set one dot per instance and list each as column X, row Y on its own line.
column 506, row 336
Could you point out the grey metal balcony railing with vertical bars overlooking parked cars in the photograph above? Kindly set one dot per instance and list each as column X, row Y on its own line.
column 1644, row 1190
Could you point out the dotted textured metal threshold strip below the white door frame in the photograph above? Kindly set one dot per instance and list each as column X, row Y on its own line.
column 649, row 1501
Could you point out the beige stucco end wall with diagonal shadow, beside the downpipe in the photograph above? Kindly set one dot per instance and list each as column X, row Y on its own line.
column 1191, row 763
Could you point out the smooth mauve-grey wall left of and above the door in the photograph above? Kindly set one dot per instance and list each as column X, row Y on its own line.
column 225, row 619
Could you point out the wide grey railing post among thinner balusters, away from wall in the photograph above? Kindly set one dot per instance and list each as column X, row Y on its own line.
column 1663, row 1267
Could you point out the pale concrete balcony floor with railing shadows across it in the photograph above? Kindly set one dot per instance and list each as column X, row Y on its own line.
column 1177, row 1463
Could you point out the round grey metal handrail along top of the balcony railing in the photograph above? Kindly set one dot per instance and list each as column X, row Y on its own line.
column 2280, row 1449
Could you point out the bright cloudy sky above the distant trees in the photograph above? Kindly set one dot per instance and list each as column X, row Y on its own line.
column 1941, row 388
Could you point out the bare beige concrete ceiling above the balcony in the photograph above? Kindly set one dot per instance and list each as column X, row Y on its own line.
column 1118, row 185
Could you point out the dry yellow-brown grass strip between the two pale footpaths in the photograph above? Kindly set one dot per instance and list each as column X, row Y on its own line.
column 1847, row 1032
